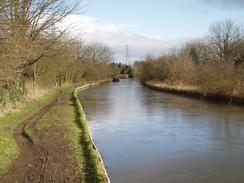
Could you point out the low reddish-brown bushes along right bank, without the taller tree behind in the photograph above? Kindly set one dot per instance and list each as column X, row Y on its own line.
column 215, row 77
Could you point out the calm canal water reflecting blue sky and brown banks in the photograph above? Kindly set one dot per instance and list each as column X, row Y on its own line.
column 146, row 136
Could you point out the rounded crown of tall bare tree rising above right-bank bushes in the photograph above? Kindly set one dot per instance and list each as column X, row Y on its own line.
column 224, row 38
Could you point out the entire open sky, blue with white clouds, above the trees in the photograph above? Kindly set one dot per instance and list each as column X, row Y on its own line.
column 150, row 26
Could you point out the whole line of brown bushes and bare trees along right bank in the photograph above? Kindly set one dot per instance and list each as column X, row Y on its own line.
column 213, row 64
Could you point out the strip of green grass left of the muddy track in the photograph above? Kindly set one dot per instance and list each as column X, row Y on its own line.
column 9, row 149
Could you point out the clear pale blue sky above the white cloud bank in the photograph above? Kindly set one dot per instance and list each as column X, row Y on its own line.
column 173, row 18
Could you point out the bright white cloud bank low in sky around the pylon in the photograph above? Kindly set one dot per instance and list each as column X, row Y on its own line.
column 117, row 36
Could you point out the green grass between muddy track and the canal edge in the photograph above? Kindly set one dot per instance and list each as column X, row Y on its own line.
column 69, row 117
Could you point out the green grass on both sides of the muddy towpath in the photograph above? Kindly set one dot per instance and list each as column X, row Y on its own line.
column 68, row 116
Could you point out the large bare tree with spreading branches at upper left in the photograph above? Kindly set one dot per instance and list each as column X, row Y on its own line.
column 26, row 31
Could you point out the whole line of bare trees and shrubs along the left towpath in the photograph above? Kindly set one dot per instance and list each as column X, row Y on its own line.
column 35, row 54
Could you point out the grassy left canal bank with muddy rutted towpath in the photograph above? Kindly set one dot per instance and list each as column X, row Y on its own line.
column 52, row 142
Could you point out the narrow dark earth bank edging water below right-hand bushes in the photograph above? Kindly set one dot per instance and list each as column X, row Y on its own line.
column 194, row 92
